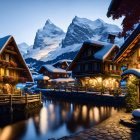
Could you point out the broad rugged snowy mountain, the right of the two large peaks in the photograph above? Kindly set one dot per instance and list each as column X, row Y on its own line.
column 82, row 29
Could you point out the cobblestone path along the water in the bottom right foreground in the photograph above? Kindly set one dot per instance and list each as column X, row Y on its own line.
column 119, row 126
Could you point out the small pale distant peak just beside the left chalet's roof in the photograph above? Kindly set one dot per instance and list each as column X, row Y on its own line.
column 24, row 48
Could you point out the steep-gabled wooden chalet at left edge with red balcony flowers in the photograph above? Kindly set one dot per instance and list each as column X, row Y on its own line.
column 13, row 68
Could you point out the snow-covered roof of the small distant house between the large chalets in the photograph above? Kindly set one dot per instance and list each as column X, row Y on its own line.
column 53, row 69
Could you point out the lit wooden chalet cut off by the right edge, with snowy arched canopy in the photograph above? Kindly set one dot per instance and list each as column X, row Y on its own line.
column 129, row 56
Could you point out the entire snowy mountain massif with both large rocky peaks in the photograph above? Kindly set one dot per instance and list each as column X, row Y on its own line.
column 52, row 44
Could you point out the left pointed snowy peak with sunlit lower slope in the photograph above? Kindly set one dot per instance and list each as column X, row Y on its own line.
column 47, row 40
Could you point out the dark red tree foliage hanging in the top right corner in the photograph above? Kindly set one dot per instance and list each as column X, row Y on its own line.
column 130, row 10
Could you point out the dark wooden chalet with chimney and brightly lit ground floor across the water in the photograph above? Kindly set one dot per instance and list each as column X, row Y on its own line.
column 94, row 67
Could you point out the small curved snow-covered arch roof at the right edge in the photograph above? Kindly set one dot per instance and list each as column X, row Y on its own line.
column 134, row 71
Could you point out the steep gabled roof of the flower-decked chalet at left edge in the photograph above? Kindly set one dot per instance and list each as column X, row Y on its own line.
column 4, row 42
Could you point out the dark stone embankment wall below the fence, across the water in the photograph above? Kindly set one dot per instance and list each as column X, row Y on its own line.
column 85, row 97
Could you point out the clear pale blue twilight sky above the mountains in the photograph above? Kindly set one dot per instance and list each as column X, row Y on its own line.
column 22, row 18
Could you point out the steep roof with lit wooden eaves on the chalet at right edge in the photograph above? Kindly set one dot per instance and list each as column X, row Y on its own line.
column 129, row 43
